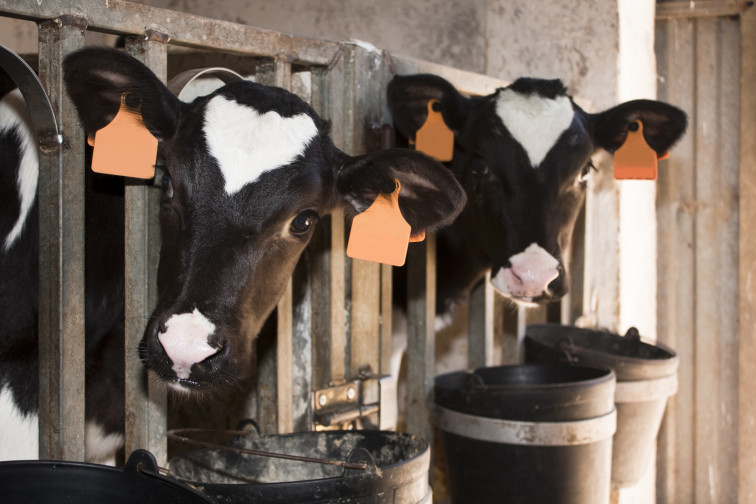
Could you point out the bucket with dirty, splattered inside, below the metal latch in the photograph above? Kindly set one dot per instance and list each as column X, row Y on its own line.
column 396, row 469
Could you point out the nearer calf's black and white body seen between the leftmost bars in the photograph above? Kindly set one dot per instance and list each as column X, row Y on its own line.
column 19, row 244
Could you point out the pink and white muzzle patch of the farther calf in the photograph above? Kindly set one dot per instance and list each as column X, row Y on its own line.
column 530, row 274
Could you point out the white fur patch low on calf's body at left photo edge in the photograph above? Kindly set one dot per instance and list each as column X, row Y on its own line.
column 19, row 433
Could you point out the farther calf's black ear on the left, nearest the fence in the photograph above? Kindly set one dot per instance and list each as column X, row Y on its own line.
column 408, row 98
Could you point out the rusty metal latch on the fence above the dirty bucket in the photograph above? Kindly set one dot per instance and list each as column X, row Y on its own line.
column 368, row 402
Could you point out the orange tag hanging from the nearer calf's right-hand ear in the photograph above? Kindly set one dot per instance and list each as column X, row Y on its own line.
column 380, row 233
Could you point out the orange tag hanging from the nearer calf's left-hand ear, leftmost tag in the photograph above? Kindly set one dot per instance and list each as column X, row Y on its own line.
column 125, row 146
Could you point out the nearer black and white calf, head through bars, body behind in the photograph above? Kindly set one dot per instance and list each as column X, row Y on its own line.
column 250, row 169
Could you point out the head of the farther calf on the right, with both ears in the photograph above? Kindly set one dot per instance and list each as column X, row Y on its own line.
column 523, row 155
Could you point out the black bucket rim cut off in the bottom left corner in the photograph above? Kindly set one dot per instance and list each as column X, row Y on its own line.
column 43, row 482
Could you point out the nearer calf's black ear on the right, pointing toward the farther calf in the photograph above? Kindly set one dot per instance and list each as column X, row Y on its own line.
column 430, row 195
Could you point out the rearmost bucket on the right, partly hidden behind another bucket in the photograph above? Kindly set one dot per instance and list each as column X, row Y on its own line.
column 646, row 377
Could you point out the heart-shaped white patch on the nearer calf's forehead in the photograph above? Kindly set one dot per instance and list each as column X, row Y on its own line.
column 247, row 143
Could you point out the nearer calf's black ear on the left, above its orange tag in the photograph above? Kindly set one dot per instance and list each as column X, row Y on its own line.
column 96, row 78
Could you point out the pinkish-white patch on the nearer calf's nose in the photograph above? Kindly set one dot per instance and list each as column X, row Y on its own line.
column 185, row 341
